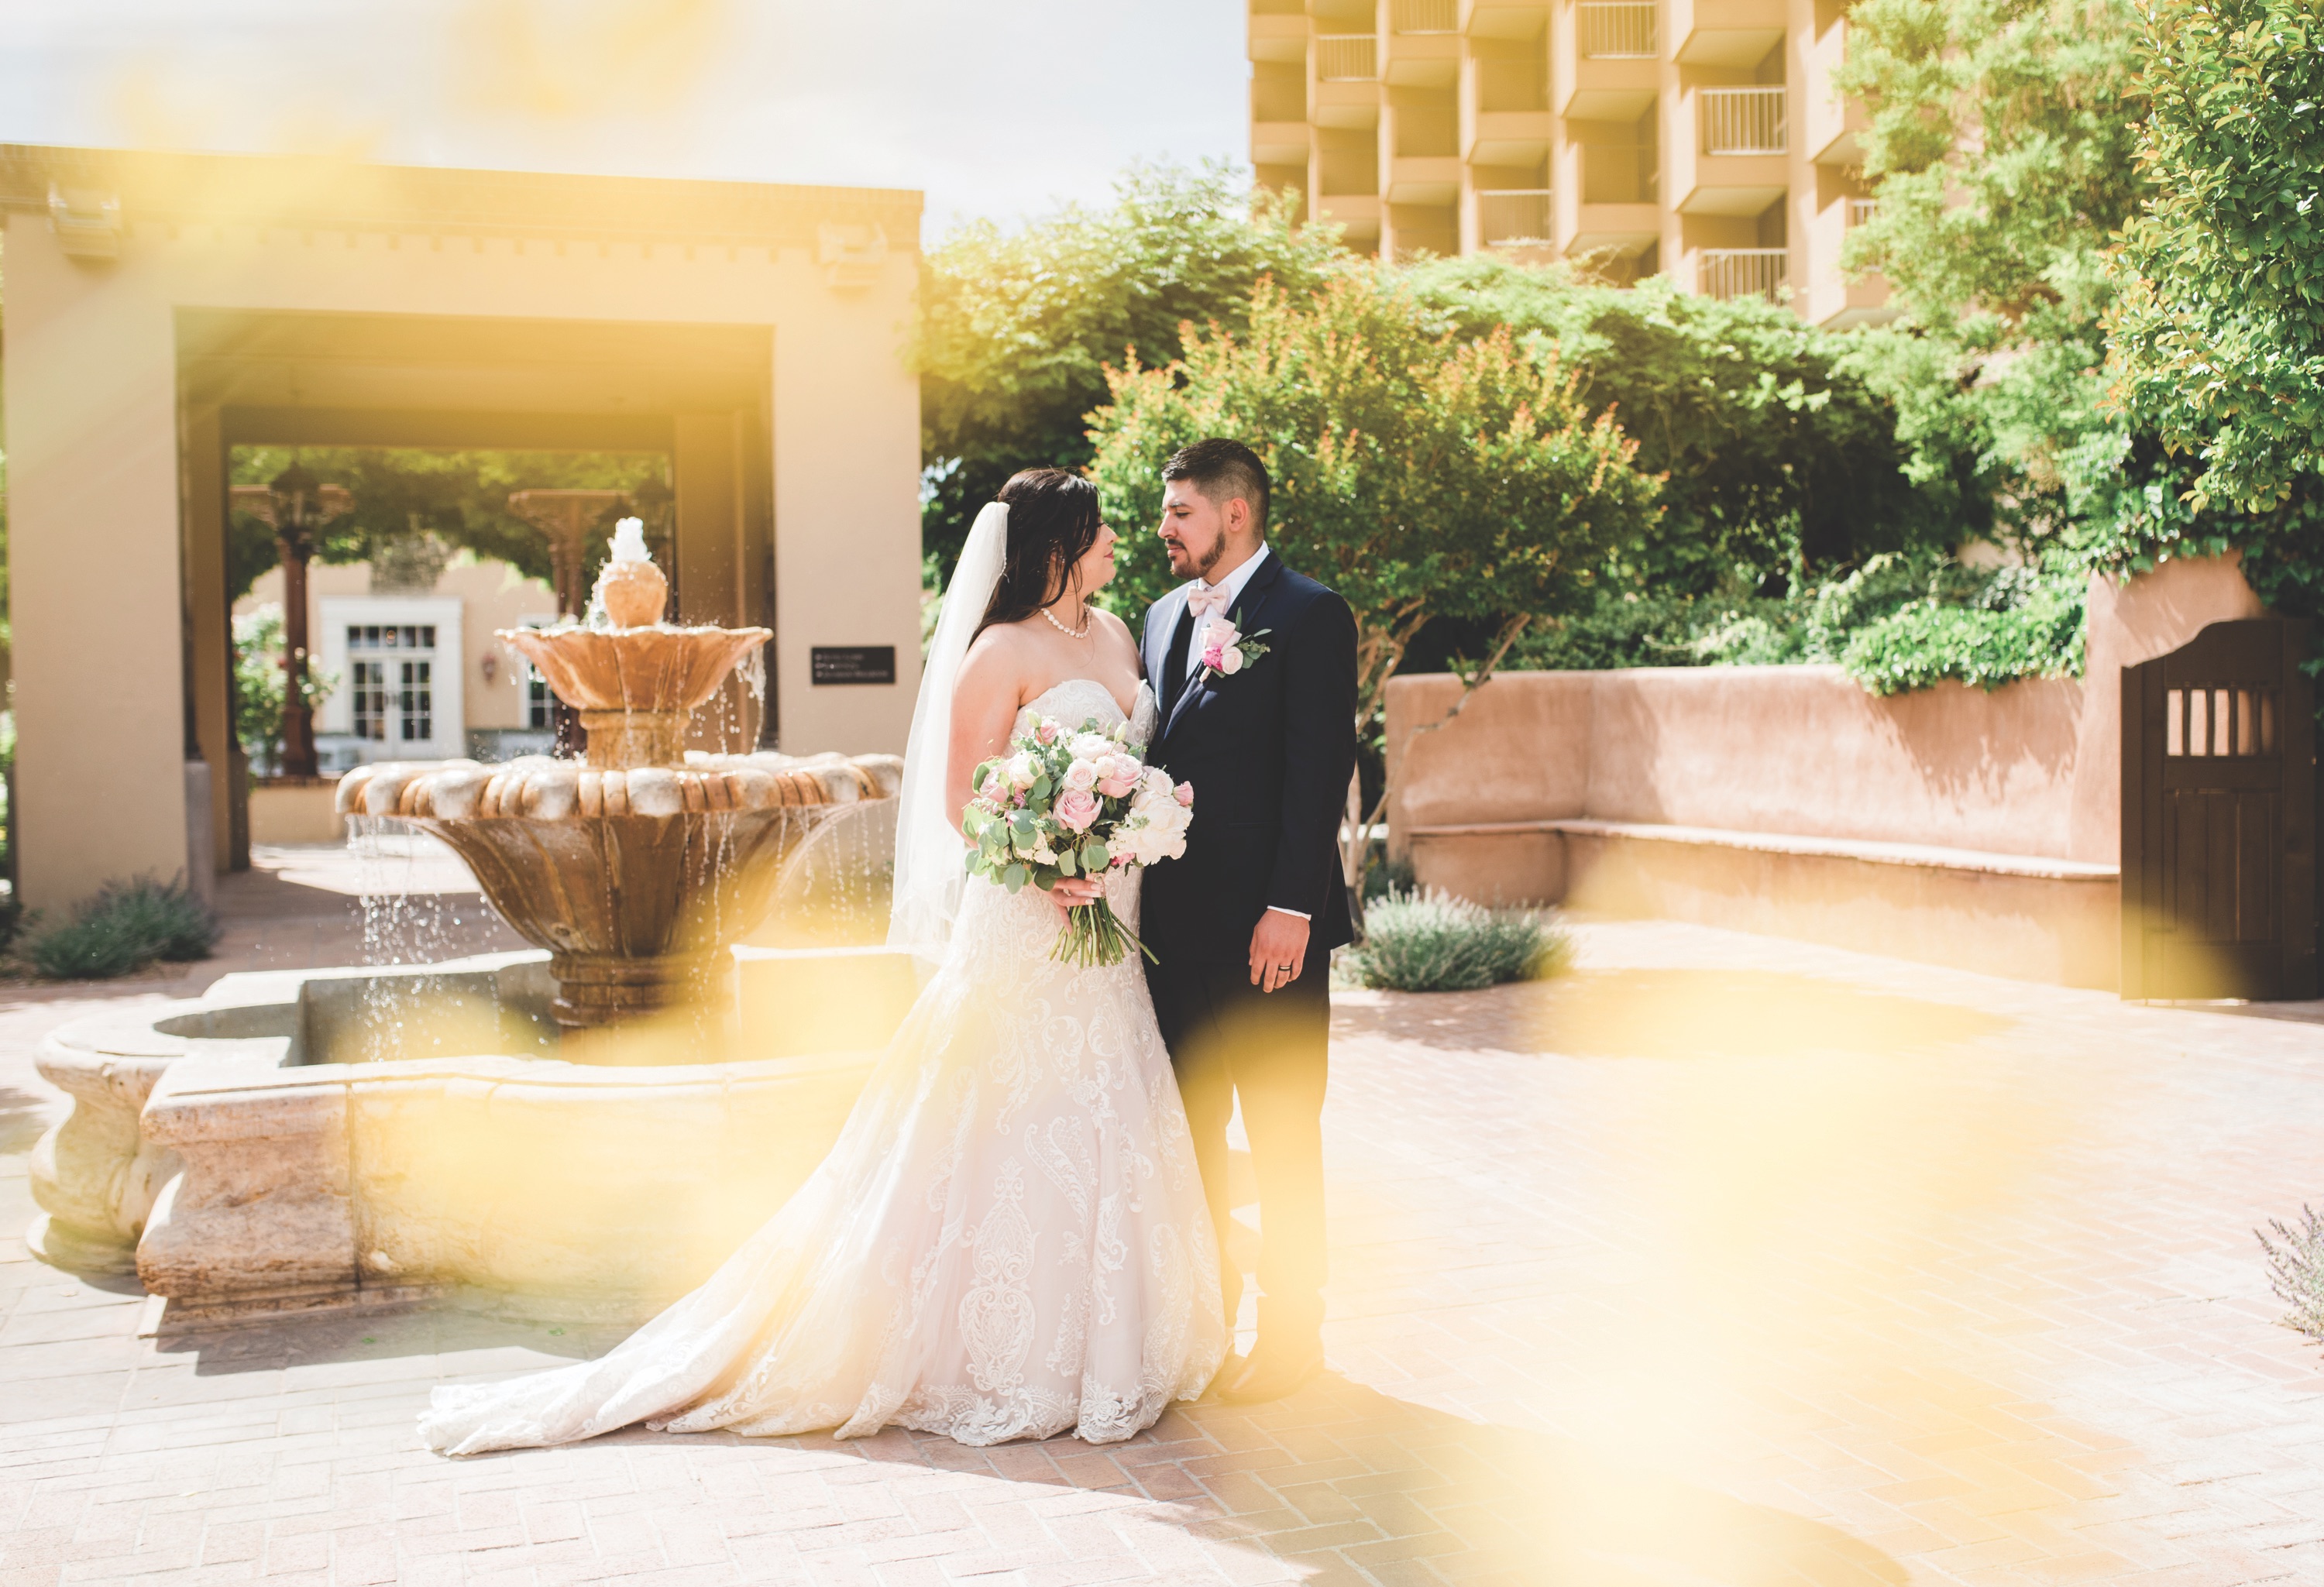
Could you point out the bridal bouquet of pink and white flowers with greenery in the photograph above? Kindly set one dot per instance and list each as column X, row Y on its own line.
column 1075, row 805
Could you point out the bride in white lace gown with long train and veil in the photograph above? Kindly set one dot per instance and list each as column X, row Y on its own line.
column 1010, row 1237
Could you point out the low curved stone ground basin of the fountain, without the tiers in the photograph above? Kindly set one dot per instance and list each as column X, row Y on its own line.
column 245, row 1156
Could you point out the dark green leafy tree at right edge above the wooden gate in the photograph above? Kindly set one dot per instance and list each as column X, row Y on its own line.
column 2221, row 331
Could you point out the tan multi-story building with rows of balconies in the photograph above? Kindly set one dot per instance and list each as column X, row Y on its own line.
column 1693, row 138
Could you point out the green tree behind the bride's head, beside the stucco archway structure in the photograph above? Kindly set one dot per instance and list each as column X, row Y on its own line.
column 1017, row 329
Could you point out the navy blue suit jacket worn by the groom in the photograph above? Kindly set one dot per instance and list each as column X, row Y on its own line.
column 1270, row 754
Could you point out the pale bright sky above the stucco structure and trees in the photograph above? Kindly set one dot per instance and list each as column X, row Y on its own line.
column 996, row 108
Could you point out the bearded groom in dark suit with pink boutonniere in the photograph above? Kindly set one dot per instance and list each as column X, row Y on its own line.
column 1245, row 924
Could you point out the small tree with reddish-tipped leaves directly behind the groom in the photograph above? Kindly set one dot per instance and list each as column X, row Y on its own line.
column 1421, row 473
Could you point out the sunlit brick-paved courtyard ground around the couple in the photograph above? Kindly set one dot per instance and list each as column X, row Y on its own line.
column 1723, row 1261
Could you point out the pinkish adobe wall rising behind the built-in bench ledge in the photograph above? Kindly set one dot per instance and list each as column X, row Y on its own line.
column 2025, row 770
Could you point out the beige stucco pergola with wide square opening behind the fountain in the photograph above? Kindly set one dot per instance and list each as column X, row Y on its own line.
column 166, row 308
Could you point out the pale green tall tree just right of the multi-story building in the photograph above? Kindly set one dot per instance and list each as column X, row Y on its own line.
column 2000, row 155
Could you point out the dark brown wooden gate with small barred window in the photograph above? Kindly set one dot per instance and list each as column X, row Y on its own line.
column 2218, row 817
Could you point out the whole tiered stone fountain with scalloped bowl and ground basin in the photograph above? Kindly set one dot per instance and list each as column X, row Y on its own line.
column 366, row 1137
